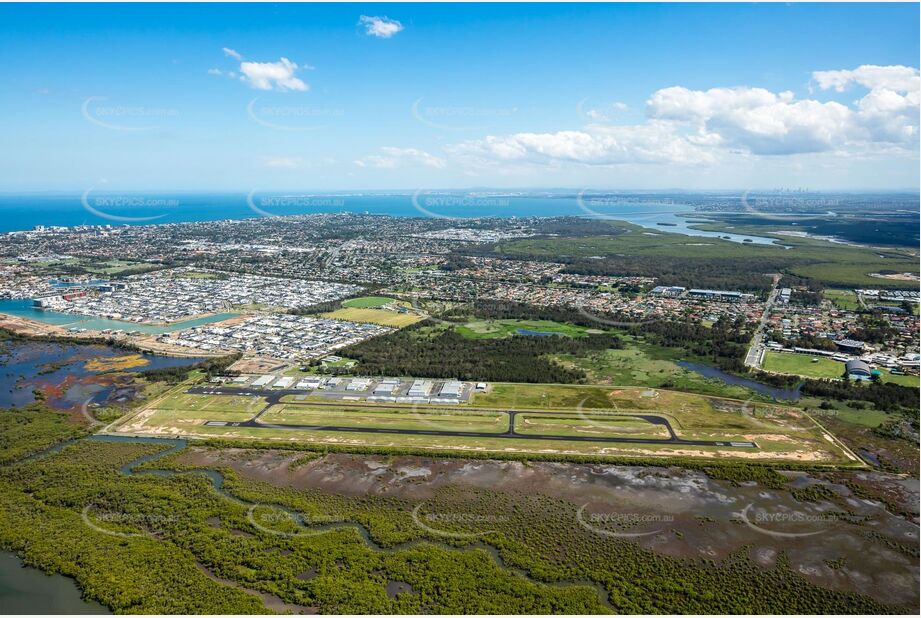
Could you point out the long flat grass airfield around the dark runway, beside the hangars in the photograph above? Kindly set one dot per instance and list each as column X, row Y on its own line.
column 538, row 419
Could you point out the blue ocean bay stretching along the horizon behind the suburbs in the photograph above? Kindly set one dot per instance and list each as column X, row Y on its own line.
column 24, row 212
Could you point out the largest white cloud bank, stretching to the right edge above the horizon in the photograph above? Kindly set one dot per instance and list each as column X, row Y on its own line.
column 685, row 126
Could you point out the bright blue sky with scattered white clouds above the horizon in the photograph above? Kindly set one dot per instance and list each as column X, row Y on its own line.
column 242, row 97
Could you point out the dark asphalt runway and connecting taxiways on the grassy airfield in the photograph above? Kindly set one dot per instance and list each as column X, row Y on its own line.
column 274, row 397
